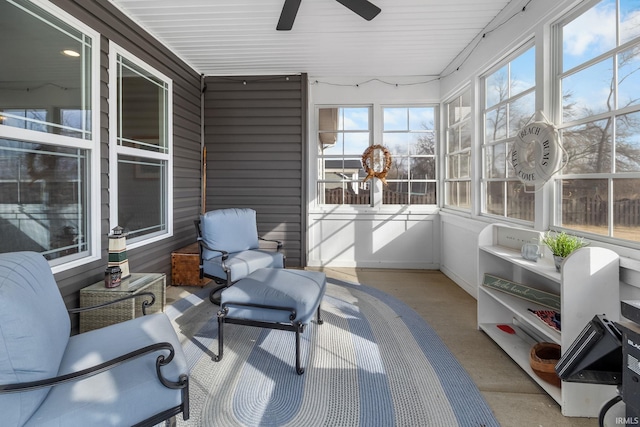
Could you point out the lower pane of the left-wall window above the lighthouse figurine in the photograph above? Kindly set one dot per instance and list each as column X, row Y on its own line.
column 142, row 193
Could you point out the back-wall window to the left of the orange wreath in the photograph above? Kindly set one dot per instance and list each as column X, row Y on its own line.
column 344, row 133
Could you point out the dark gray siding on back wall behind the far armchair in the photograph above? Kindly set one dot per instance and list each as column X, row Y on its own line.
column 254, row 135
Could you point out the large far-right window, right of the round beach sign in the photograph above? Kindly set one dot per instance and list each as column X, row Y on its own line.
column 599, row 81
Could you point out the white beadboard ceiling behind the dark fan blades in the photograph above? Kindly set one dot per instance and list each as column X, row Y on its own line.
column 239, row 37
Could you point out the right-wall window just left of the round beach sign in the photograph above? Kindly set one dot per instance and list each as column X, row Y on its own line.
column 509, row 103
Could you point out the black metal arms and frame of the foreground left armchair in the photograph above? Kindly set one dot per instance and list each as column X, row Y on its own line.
column 162, row 360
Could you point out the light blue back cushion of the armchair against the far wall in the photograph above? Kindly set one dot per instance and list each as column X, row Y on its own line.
column 231, row 230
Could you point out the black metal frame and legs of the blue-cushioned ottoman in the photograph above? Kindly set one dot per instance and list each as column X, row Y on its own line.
column 296, row 327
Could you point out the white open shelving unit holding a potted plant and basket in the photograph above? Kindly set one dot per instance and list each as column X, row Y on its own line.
column 588, row 285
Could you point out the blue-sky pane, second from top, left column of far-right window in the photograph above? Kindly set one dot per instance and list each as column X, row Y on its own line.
column 587, row 92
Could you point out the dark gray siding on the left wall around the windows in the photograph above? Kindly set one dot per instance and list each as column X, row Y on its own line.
column 102, row 16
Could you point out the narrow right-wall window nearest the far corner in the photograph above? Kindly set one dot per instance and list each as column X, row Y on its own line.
column 458, row 152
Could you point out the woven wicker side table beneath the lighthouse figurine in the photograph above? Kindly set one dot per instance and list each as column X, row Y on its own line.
column 134, row 284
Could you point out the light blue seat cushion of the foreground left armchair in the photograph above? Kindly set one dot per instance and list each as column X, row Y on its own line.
column 129, row 391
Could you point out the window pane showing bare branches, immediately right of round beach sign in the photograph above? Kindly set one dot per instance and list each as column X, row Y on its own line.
column 588, row 147
